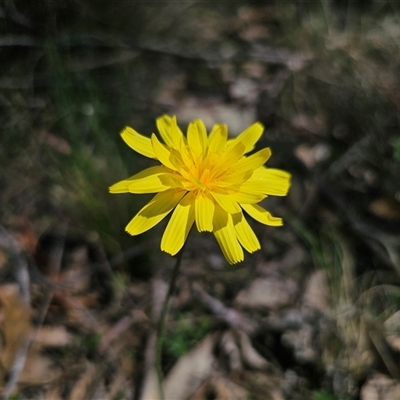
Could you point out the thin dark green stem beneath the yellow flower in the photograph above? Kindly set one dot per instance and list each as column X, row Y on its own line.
column 161, row 322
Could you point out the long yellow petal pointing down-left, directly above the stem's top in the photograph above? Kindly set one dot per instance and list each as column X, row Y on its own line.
column 179, row 225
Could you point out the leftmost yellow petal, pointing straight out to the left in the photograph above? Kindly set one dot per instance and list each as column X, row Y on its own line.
column 150, row 180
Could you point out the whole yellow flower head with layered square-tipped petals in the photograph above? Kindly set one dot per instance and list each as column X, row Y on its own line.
column 205, row 179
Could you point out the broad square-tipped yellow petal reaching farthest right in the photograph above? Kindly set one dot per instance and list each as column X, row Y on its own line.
column 274, row 181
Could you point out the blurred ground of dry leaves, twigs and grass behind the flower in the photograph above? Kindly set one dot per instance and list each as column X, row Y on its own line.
column 316, row 311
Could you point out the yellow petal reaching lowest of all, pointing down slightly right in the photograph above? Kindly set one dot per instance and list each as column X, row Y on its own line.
column 225, row 234
